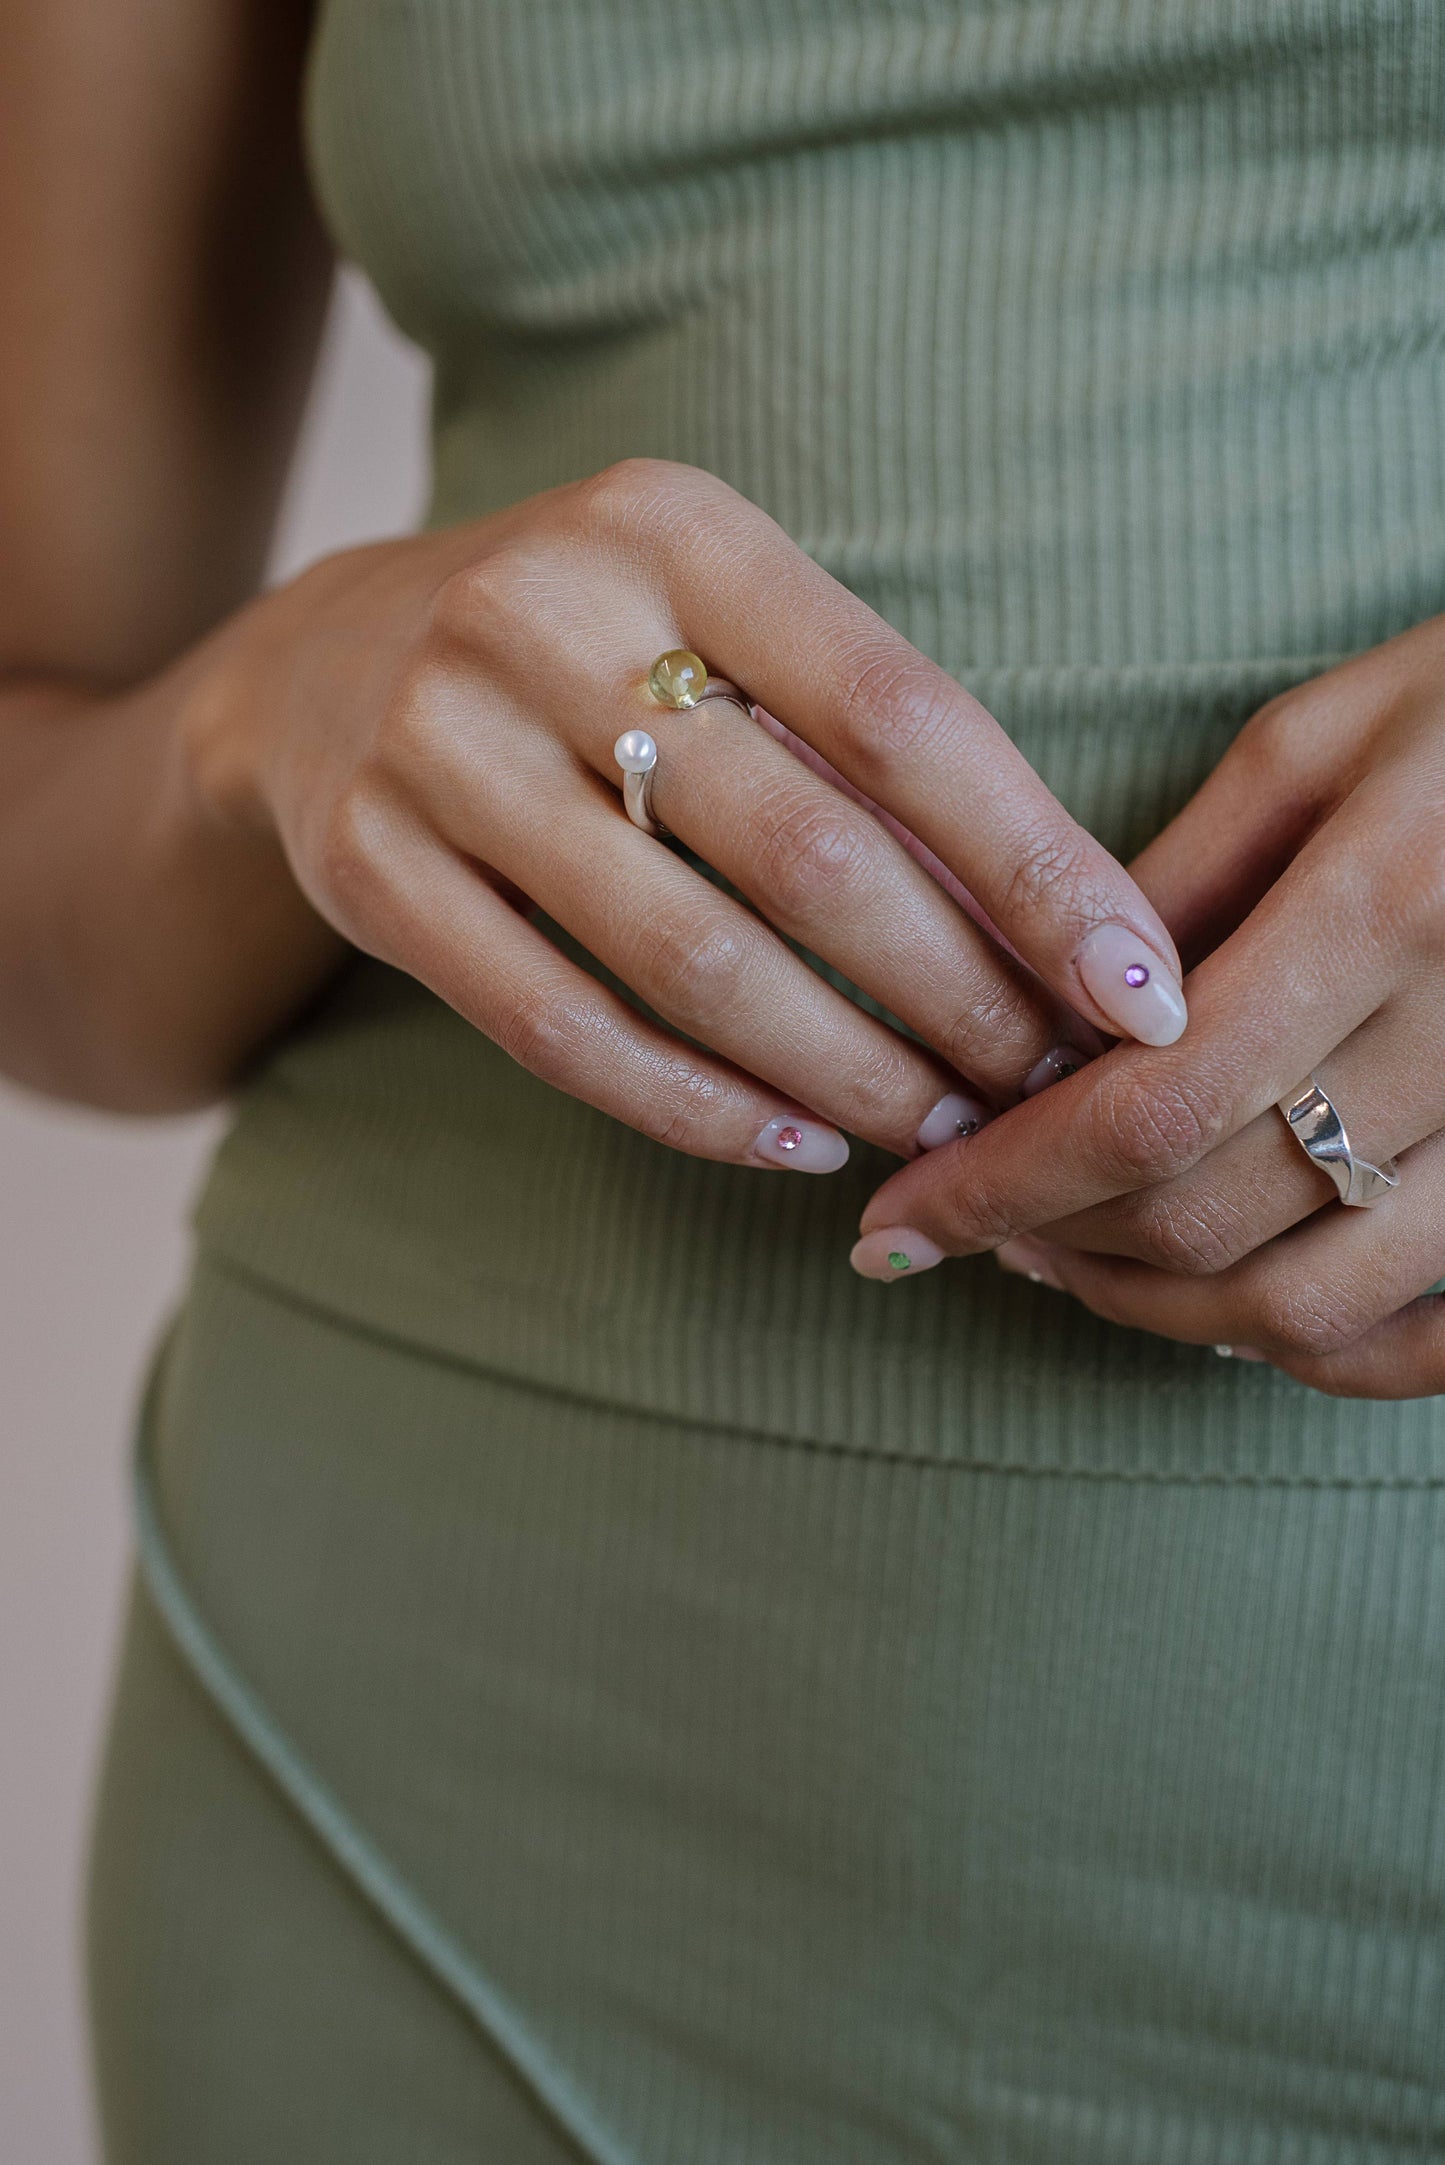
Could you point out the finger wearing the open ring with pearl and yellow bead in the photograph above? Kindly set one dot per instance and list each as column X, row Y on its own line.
column 826, row 874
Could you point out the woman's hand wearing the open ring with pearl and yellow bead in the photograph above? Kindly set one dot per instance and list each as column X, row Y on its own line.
column 428, row 729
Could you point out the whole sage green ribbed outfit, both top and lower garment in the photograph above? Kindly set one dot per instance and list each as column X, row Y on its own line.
column 612, row 1683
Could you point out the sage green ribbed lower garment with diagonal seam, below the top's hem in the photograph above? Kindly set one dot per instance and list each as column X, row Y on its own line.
column 534, row 1781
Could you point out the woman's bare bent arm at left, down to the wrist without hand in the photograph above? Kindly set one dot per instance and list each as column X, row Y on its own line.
column 161, row 291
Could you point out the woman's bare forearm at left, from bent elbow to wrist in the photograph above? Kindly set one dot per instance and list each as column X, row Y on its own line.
column 148, row 943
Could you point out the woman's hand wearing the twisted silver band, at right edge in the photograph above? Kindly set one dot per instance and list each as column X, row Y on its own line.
column 1162, row 1188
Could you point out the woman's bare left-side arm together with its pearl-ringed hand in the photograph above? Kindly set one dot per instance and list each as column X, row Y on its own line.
column 205, row 798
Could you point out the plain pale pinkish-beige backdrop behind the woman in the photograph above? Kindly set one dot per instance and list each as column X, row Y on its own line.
column 92, row 1248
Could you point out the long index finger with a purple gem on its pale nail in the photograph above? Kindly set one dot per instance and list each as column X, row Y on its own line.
column 904, row 733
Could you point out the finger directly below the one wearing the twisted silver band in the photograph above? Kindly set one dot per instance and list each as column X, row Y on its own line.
column 1303, row 1298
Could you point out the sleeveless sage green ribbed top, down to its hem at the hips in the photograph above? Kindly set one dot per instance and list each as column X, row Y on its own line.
column 1095, row 345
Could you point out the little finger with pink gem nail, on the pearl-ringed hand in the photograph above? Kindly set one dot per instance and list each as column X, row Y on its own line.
column 476, row 952
